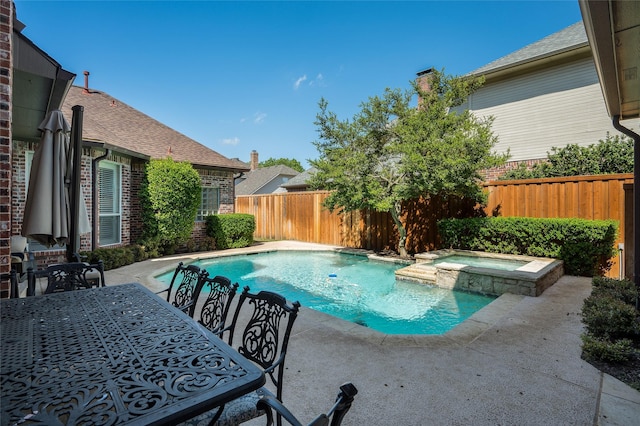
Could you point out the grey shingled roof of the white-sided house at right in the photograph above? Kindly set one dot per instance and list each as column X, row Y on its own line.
column 569, row 39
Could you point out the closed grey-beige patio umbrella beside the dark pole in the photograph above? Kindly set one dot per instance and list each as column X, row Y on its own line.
column 47, row 215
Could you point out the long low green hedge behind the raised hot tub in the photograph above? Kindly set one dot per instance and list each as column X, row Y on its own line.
column 585, row 246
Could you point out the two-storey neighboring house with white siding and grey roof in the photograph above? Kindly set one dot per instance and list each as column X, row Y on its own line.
column 545, row 95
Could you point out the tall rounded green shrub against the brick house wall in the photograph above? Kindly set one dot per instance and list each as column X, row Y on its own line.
column 171, row 197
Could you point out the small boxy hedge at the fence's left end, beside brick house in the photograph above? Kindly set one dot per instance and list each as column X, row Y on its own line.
column 233, row 230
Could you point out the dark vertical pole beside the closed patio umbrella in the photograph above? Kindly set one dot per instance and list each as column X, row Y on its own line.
column 73, row 244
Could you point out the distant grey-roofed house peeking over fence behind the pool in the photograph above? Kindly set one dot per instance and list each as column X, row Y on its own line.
column 263, row 180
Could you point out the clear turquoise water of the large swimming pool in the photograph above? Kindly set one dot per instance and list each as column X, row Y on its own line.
column 350, row 287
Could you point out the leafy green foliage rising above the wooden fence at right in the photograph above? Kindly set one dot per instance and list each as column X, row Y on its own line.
column 612, row 155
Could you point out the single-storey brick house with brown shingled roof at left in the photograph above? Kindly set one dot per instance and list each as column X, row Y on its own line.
column 118, row 142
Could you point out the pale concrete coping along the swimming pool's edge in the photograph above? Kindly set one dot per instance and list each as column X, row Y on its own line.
column 465, row 332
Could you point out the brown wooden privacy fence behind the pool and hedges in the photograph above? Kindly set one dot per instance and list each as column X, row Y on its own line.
column 300, row 216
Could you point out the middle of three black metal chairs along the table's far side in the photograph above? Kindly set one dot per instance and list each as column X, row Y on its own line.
column 217, row 292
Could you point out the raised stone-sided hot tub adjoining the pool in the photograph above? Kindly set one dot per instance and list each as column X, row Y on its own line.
column 482, row 272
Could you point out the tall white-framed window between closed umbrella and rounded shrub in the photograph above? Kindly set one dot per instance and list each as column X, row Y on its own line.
column 110, row 212
